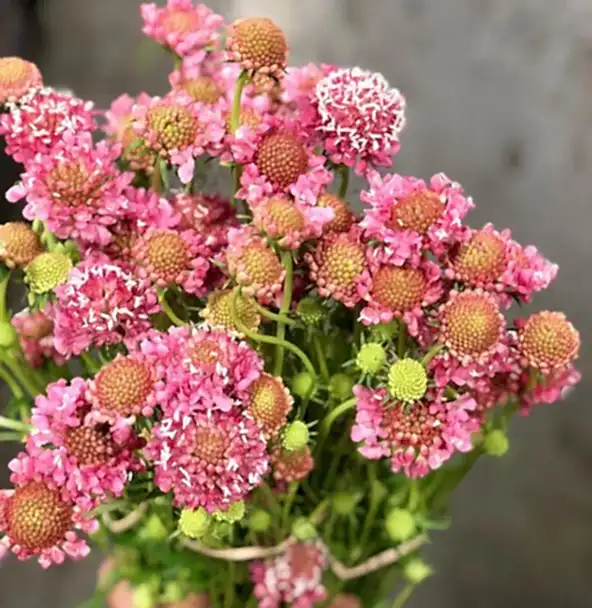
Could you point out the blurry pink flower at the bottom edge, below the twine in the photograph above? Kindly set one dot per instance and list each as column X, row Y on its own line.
column 295, row 577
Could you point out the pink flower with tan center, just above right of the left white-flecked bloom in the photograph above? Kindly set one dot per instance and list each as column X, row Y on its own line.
column 171, row 257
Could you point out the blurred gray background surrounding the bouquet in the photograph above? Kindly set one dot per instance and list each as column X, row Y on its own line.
column 500, row 98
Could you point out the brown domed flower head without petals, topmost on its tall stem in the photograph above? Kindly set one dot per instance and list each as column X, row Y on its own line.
column 260, row 43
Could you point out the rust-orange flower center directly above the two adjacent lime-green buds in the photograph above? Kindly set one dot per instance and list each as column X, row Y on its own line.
column 399, row 289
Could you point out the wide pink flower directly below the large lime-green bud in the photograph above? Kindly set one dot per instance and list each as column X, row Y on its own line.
column 418, row 438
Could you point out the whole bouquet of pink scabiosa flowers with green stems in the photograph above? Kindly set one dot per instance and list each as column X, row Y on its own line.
column 263, row 398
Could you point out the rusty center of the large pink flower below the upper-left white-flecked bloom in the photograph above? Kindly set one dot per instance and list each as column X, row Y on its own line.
column 71, row 184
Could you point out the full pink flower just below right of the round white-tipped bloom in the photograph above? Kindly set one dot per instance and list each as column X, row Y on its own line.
column 407, row 215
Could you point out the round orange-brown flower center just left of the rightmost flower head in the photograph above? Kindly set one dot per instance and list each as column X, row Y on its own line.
column 471, row 323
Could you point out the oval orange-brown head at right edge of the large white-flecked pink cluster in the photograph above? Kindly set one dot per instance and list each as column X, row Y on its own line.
column 269, row 403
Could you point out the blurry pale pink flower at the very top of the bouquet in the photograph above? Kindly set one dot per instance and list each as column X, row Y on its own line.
column 182, row 27
